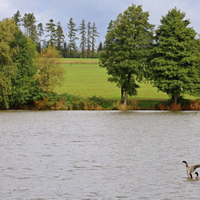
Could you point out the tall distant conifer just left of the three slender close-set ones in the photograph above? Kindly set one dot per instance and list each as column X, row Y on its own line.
column 72, row 36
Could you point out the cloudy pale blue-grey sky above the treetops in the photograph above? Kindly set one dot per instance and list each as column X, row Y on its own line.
column 98, row 11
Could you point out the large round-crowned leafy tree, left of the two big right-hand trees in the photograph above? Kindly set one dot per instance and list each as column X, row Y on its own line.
column 126, row 49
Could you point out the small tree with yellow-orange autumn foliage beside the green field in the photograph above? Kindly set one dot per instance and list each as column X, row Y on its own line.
column 50, row 72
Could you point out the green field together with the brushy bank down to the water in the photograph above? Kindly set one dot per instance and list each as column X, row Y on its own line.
column 85, row 87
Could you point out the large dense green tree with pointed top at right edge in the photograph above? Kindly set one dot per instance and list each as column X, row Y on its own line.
column 174, row 65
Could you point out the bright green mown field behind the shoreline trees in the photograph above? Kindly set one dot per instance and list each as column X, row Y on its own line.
column 86, row 79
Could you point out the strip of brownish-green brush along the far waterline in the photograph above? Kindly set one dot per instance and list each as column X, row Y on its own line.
column 87, row 104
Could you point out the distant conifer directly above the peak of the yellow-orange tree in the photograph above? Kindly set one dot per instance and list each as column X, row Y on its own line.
column 50, row 28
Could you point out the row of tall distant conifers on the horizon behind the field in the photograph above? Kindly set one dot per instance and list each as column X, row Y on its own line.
column 52, row 34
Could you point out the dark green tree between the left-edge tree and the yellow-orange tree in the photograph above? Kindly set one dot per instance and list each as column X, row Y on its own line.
column 23, row 84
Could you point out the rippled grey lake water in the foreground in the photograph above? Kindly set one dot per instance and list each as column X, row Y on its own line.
column 98, row 154
